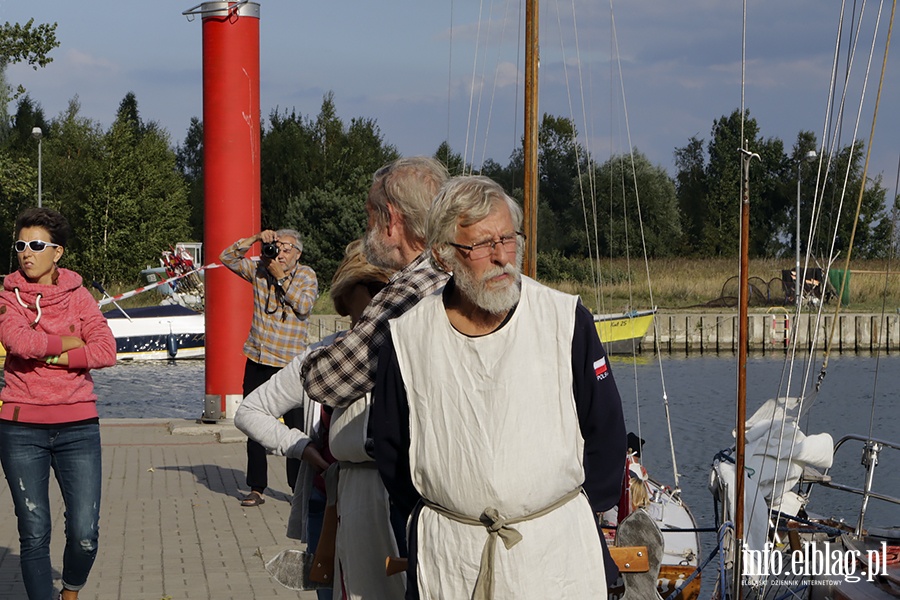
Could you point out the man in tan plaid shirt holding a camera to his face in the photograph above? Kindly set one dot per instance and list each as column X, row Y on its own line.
column 284, row 292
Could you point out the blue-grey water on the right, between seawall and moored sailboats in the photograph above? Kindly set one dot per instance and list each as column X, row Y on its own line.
column 701, row 396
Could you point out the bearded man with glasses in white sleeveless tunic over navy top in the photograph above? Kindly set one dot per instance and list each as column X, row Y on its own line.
column 497, row 424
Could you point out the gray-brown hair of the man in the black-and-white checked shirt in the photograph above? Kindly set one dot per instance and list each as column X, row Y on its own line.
column 409, row 185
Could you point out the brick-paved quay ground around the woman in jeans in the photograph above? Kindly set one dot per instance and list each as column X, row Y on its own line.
column 171, row 524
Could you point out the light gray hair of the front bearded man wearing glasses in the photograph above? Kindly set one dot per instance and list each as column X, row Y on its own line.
column 464, row 201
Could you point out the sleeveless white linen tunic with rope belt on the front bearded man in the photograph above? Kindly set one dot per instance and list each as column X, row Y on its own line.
column 493, row 424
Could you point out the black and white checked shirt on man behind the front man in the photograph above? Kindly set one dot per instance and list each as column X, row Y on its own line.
column 339, row 374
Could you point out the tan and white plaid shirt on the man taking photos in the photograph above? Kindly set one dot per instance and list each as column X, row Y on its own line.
column 280, row 315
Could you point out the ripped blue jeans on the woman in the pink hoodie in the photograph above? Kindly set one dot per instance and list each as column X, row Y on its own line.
column 27, row 453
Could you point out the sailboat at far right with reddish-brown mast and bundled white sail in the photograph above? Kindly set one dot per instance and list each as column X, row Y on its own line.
column 773, row 544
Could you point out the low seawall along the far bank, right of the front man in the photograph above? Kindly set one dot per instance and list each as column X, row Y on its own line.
column 774, row 332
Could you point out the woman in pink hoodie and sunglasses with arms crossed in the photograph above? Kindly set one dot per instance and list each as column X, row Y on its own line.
column 54, row 334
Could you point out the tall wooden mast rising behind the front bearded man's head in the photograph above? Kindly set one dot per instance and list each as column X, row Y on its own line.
column 530, row 143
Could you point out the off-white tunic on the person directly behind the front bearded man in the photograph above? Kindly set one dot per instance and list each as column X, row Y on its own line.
column 364, row 535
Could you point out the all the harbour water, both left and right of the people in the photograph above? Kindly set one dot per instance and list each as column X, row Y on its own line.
column 701, row 395
